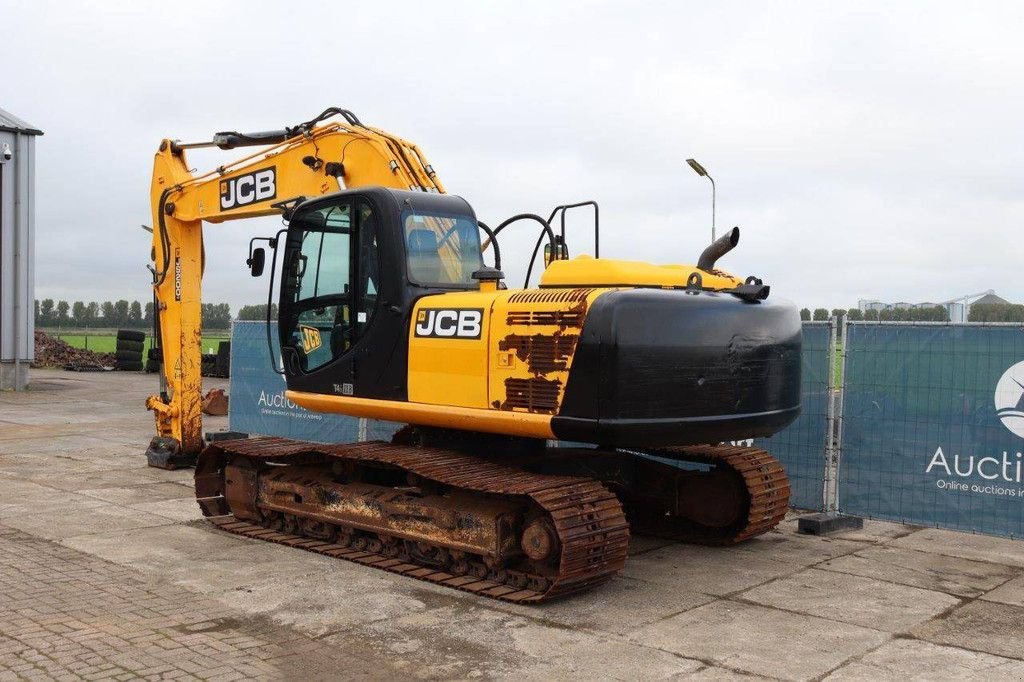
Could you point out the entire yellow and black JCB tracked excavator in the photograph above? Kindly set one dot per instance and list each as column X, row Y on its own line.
column 542, row 424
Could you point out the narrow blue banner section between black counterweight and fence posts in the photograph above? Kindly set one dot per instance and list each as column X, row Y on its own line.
column 801, row 446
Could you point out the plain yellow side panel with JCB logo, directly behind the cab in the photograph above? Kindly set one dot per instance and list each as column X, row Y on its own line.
column 448, row 350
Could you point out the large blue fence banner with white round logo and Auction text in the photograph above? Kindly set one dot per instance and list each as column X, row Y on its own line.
column 934, row 427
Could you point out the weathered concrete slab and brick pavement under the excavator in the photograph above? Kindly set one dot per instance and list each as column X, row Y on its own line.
column 108, row 571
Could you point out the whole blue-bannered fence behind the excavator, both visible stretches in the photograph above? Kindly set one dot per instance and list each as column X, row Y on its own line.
column 915, row 422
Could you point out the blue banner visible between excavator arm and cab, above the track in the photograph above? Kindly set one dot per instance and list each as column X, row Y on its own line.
column 258, row 398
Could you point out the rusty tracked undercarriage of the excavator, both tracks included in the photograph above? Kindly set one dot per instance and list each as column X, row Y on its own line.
column 519, row 524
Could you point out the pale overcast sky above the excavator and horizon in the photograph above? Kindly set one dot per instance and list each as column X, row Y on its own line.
column 866, row 150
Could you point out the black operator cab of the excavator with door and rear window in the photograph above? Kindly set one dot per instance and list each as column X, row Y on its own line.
column 355, row 264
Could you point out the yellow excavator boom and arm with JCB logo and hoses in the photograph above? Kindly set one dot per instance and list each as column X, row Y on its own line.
column 312, row 159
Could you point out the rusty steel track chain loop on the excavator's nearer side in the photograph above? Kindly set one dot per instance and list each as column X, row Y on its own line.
column 588, row 519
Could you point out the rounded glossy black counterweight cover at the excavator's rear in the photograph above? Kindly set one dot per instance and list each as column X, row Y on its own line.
column 673, row 367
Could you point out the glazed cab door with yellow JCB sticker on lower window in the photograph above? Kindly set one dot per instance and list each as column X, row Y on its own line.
column 329, row 295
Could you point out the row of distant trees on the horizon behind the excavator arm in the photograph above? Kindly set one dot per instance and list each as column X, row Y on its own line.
column 119, row 315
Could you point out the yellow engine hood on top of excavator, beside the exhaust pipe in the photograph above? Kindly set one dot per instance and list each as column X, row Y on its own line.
column 587, row 272
